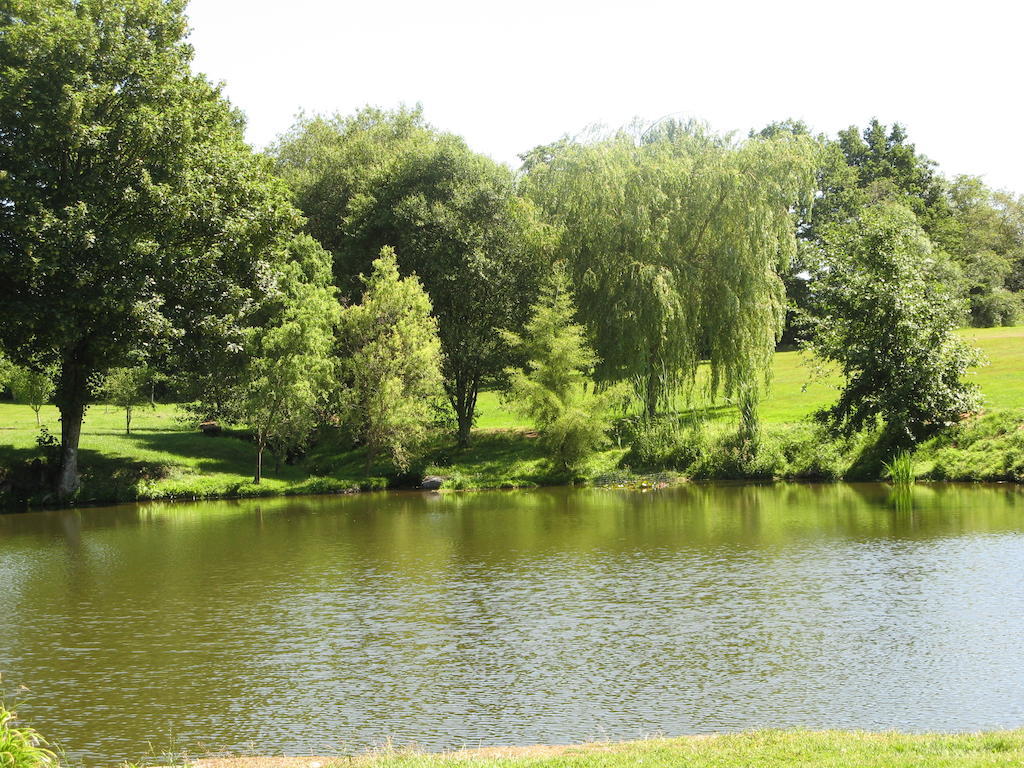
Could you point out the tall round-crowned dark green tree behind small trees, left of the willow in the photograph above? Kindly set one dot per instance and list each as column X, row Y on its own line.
column 388, row 179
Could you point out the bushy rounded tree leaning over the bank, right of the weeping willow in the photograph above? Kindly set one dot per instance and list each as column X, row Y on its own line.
column 884, row 315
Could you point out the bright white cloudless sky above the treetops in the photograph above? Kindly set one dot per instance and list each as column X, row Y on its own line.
column 508, row 76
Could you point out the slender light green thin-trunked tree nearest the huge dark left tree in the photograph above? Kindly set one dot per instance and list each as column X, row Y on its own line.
column 289, row 367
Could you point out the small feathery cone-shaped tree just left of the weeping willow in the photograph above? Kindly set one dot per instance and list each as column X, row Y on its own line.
column 556, row 390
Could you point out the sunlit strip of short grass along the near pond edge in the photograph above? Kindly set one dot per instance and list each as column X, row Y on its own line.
column 762, row 749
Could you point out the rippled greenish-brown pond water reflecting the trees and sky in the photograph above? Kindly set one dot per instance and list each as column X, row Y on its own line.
column 330, row 625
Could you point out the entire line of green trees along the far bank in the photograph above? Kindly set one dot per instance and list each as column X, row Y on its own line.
column 371, row 272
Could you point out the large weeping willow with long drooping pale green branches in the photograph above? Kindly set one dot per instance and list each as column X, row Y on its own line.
column 676, row 240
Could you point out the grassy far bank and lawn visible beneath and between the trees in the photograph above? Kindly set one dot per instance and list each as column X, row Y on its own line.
column 165, row 458
